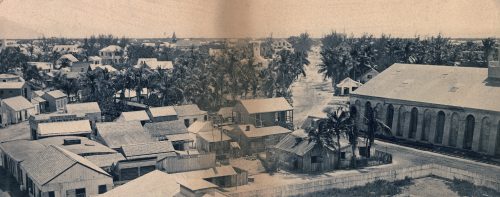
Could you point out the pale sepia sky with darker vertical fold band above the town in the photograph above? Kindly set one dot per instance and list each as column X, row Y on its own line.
column 248, row 18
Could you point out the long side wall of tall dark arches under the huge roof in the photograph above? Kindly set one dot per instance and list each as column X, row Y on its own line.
column 474, row 130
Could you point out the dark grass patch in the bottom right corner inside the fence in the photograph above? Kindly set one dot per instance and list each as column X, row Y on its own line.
column 466, row 188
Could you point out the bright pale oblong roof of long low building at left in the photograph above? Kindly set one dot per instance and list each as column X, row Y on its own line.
column 64, row 128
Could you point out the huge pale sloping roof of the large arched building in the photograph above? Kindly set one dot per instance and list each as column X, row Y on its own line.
column 435, row 85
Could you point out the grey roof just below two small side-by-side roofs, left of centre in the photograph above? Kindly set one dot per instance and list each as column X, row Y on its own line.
column 159, row 129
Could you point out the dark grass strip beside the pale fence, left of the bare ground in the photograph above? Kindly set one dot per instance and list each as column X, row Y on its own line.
column 376, row 188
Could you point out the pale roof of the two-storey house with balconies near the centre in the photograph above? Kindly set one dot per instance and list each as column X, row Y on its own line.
column 254, row 106
